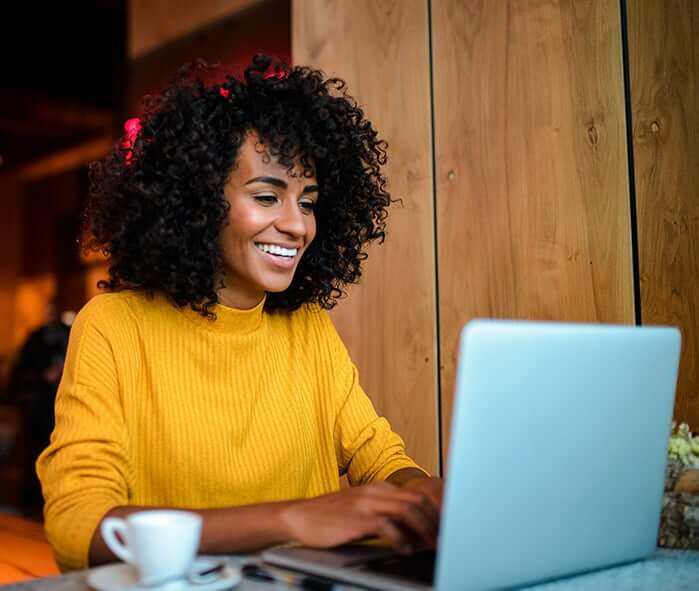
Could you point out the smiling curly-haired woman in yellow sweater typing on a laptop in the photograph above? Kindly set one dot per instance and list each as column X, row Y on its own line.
column 210, row 377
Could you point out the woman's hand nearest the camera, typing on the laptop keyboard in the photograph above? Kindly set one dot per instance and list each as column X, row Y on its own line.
column 404, row 516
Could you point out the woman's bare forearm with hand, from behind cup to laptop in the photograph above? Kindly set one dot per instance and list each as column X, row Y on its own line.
column 403, row 515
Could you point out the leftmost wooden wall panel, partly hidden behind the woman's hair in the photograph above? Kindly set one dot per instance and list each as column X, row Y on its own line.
column 382, row 50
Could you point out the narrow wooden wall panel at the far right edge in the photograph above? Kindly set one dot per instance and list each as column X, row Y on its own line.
column 664, row 68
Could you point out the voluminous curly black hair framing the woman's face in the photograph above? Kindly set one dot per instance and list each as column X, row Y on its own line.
column 156, row 203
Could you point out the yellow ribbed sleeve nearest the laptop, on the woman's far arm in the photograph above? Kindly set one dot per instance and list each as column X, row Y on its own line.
column 367, row 449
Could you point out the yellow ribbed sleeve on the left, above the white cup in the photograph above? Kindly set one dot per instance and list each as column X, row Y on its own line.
column 84, row 472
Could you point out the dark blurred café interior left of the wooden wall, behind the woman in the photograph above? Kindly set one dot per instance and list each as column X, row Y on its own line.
column 72, row 73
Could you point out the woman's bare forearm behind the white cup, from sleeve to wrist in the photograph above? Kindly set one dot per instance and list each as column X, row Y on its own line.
column 228, row 530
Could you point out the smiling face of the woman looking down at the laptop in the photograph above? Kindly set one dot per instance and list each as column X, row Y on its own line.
column 270, row 225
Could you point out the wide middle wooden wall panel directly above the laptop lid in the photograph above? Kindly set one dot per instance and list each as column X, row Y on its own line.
column 532, row 188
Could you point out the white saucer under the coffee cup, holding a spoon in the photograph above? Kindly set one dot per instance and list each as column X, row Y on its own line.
column 123, row 577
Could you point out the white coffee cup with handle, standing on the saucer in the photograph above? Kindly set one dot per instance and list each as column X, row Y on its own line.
column 161, row 544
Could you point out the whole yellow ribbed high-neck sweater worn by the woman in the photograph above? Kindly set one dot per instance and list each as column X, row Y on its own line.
column 159, row 406
